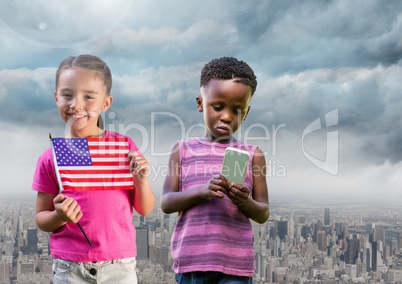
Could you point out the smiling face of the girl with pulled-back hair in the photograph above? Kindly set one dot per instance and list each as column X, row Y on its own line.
column 80, row 97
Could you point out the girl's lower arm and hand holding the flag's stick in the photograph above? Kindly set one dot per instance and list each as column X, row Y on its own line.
column 55, row 210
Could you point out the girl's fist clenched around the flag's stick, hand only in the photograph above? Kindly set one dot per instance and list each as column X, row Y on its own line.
column 67, row 208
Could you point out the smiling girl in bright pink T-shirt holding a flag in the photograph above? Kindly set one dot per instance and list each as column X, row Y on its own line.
column 83, row 85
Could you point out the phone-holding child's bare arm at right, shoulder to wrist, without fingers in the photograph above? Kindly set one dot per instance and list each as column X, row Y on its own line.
column 257, row 208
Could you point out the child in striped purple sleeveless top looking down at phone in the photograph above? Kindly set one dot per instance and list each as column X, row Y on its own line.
column 213, row 241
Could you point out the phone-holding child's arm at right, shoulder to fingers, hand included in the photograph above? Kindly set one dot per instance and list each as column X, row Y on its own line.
column 256, row 208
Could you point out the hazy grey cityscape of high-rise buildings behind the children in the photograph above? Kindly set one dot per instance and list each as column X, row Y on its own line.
column 303, row 242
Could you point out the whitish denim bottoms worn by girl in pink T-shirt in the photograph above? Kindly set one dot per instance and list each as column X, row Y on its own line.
column 121, row 271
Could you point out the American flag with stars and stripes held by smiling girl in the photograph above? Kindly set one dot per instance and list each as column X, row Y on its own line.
column 93, row 163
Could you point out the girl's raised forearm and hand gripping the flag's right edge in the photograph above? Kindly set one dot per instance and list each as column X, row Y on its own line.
column 142, row 195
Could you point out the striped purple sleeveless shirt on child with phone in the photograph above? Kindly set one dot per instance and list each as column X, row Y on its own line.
column 213, row 235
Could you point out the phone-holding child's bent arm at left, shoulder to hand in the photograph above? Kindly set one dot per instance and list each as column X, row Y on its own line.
column 174, row 200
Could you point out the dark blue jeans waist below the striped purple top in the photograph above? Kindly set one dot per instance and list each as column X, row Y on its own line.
column 208, row 277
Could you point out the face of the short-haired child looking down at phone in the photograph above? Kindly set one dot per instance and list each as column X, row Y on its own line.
column 225, row 105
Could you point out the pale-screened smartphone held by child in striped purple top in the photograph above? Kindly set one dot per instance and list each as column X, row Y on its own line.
column 235, row 165
